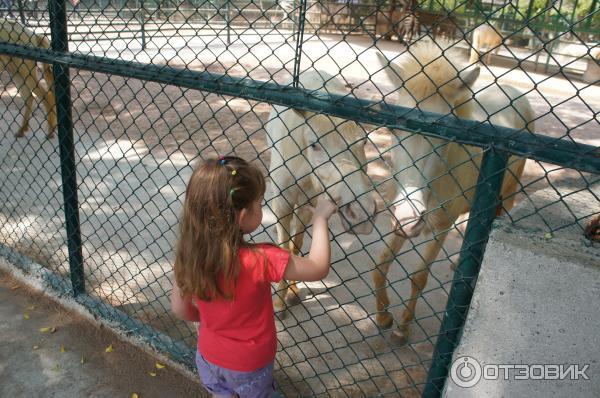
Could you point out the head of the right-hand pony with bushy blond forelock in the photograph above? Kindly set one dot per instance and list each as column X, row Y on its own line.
column 425, row 79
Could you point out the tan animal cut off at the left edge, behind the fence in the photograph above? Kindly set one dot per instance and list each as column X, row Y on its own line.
column 25, row 76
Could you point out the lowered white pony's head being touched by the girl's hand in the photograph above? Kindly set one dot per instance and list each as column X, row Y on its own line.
column 334, row 148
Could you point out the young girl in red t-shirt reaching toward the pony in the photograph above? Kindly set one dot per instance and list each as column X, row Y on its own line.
column 224, row 282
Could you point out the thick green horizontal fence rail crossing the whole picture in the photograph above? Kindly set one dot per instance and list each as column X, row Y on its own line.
column 560, row 152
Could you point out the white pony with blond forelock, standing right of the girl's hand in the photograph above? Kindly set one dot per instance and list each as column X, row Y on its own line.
column 437, row 179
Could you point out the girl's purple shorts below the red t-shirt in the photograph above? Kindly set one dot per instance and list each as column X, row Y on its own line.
column 223, row 382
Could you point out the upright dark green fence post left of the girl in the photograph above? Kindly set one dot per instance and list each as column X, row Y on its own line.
column 62, row 84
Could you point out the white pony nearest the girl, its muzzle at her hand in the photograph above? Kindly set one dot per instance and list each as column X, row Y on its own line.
column 312, row 153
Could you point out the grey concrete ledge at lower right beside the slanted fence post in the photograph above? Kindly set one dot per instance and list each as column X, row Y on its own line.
column 537, row 302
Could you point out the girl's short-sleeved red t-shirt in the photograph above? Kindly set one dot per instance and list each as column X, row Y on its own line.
column 239, row 334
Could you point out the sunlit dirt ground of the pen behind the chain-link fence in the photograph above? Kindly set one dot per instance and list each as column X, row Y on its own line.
column 136, row 143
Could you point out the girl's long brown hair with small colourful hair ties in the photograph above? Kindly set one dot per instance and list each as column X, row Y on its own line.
column 206, row 258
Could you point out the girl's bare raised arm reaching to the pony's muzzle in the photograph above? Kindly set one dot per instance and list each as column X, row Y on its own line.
column 316, row 265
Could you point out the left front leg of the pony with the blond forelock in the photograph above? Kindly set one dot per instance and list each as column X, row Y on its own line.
column 383, row 318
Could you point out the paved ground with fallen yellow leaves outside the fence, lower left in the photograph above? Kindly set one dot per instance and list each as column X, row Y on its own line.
column 70, row 360
